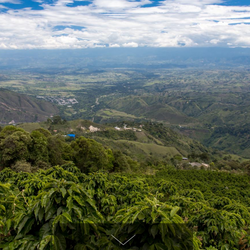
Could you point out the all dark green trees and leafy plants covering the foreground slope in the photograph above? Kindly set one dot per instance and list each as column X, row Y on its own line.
column 75, row 194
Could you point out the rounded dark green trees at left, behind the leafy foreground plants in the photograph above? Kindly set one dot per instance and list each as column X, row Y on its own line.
column 21, row 151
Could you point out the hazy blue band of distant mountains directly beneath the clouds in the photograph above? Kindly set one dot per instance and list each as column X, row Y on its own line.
column 51, row 61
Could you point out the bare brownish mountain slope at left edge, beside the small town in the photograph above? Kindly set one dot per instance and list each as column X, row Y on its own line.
column 15, row 108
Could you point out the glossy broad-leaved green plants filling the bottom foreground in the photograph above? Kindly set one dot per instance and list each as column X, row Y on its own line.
column 62, row 208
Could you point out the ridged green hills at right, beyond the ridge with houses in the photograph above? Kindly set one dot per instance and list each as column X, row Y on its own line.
column 217, row 120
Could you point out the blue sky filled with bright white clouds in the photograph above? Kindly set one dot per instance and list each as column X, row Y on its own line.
column 76, row 24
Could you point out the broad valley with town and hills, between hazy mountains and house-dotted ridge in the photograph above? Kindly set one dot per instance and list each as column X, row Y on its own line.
column 211, row 106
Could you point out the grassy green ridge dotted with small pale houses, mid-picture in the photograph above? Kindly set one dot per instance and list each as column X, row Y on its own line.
column 140, row 141
